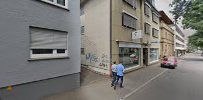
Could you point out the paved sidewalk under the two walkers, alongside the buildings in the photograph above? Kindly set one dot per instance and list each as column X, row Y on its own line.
column 100, row 88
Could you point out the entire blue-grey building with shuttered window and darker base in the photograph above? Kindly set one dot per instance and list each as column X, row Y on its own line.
column 39, row 48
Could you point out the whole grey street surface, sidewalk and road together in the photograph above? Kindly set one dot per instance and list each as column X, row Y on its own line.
column 150, row 83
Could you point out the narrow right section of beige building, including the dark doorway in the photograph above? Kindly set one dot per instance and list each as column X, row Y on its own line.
column 151, row 36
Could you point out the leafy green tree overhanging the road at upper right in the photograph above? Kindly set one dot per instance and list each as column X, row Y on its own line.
column 192, row 13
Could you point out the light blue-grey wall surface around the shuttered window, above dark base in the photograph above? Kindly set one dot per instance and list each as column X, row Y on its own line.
column 15, row 20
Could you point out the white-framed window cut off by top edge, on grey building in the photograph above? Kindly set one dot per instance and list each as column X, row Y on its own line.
column 60, row 3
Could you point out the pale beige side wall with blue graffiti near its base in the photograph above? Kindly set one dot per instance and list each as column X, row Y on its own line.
column 96, row 39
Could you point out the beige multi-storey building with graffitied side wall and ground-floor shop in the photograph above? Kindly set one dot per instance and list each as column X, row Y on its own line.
column 118, row 30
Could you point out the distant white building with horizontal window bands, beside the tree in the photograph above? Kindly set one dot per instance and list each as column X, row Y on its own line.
column 179, row 39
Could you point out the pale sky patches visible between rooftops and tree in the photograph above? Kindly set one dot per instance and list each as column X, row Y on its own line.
column 164, row 5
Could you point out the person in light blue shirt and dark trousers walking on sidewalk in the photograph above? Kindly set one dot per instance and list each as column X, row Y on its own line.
column 120, row 74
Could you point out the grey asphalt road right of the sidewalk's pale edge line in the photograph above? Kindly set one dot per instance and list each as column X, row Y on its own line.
column 183, row 83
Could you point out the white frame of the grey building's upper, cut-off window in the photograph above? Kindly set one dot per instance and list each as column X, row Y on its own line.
column 56, row 4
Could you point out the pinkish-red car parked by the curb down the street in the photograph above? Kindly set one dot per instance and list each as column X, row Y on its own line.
column 170, row 62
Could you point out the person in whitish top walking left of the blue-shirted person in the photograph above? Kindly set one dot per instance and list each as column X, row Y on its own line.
column 114, row 73
